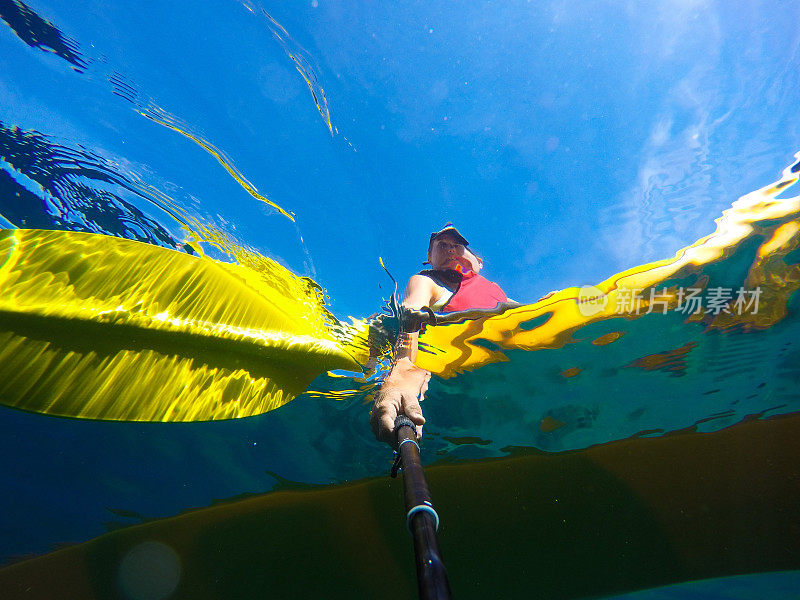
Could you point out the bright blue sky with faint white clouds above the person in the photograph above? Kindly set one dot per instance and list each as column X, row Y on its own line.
column 568, row 141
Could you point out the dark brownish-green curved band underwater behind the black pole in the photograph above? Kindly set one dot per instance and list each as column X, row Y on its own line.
column 632, row 514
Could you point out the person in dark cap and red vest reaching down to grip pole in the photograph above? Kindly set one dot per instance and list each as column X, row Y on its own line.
column 452, row 284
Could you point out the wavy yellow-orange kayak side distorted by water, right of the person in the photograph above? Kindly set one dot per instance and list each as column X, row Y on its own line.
column 762, row 217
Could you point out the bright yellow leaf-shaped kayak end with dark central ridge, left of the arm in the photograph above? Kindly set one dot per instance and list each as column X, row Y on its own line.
column 98, row 327
